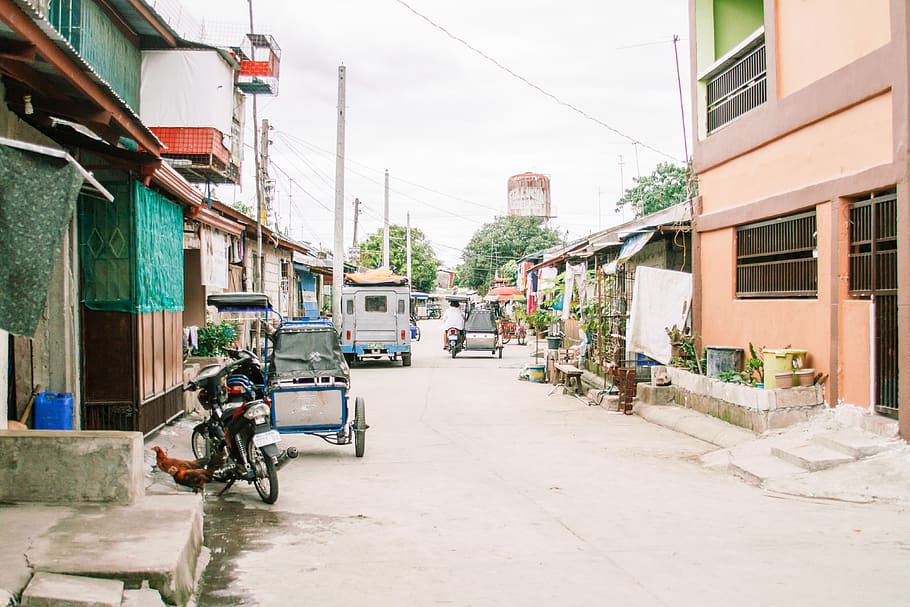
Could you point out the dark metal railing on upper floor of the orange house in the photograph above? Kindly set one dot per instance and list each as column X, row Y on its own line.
column 738, row 84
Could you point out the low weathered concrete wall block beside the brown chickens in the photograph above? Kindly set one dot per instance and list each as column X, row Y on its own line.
column 66, row 467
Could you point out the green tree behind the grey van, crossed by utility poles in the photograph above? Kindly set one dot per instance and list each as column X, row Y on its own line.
column 424, row 263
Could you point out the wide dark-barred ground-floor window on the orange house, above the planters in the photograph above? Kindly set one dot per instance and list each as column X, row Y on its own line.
column 777, row 258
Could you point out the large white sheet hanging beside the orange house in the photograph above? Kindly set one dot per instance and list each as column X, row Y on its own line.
column 660, row 299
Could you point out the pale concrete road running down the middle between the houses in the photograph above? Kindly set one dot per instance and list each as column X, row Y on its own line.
column 479, row 489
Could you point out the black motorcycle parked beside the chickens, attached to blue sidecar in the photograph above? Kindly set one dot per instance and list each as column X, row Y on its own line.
column 237, row 440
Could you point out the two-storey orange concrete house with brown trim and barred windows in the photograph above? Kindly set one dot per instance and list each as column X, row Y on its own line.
column 800, row 116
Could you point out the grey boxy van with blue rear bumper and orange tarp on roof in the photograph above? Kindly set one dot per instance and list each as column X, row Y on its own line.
column 375, row 317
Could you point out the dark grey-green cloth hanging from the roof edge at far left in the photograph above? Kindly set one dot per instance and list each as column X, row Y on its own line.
column 37, row 199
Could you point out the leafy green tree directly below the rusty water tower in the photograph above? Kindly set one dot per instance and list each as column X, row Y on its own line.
column 508, row 239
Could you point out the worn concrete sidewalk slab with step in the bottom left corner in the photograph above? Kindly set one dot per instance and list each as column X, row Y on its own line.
column 146, row 553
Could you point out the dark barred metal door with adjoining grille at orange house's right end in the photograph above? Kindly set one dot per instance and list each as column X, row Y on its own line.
column 873, row 275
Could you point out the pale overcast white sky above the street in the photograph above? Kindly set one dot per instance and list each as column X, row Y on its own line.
column 449, row 124
